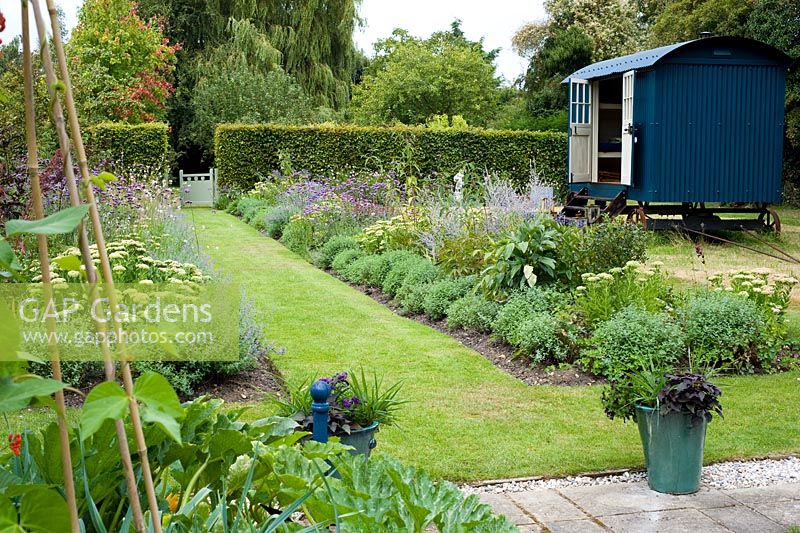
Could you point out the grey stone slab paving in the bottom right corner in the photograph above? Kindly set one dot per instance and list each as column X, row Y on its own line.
column 634, row 507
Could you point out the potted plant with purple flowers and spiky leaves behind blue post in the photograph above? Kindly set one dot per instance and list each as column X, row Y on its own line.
column 357, row 407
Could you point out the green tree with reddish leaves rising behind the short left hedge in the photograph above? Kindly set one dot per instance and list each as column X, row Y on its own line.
column 121, row 65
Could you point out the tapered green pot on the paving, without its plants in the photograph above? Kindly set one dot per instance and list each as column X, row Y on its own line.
column 673, row 450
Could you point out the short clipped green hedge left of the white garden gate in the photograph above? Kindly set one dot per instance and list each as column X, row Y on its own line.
column 130, row 144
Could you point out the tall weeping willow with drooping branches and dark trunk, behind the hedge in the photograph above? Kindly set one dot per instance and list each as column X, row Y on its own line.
column 314, row 39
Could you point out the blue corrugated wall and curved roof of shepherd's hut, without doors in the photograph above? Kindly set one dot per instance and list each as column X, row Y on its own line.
column 709, row 117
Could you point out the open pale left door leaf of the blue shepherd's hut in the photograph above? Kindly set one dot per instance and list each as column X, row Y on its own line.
column 580, row 131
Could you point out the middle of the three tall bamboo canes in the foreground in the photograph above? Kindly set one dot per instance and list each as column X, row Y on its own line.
column 91, row 274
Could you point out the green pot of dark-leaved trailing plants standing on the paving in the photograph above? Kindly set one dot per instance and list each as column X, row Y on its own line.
column 672, row 411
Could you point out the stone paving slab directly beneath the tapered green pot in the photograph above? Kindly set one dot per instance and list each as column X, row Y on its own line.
column 603, row 500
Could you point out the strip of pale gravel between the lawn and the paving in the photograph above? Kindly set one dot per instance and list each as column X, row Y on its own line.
column 729, row 475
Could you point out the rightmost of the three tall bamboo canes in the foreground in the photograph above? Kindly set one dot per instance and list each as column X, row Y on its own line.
column 127, row 378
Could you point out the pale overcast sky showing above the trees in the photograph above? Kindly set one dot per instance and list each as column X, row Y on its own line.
column 495, row 21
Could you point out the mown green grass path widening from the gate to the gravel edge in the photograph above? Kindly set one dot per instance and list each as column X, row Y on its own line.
column 468, row 420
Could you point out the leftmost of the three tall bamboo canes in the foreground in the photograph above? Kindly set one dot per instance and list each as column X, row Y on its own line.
column 44, row 262
